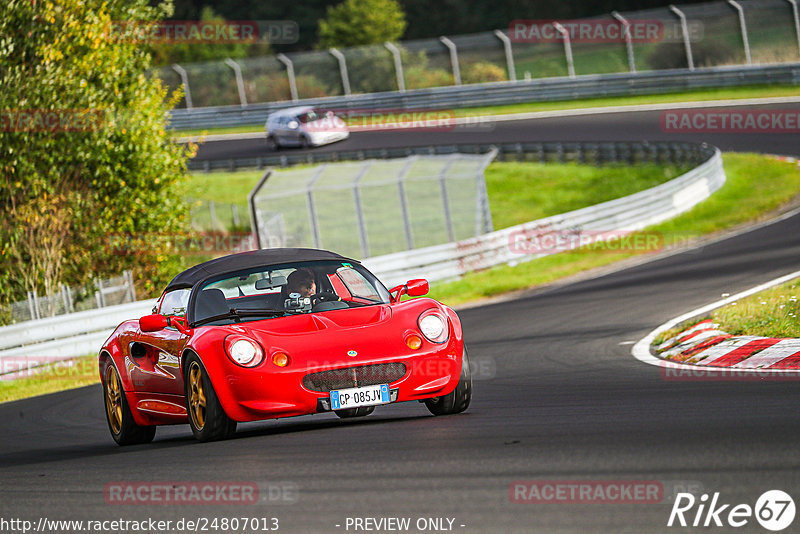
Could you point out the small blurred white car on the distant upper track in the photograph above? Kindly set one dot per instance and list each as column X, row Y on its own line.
column 304, row 127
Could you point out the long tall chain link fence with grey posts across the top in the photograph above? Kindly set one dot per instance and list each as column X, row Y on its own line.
column 715, row 34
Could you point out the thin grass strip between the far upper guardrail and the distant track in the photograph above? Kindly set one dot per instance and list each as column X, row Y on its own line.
column 688, row 96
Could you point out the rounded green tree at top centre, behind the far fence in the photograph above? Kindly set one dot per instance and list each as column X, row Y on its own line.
column 362, row 22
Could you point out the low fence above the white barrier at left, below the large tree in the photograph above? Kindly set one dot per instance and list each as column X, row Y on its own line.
column 107, row 292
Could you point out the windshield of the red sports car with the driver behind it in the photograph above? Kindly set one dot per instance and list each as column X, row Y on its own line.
column 279, row 290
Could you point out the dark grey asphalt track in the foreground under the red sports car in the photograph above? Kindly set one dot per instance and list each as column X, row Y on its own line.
column 557, row 397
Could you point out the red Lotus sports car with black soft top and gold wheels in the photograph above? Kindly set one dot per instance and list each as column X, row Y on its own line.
column 277, row 333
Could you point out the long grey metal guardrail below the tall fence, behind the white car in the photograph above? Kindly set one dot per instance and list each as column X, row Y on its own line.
column 502, row 93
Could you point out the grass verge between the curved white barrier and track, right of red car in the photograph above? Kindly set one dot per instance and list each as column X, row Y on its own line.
column 775, row 182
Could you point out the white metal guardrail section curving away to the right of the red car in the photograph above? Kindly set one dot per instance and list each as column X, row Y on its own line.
column 631, row 213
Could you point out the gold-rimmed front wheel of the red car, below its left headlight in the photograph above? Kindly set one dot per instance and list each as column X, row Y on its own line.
column 208, row 420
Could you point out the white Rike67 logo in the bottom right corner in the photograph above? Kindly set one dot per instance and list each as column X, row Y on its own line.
column 774, row 510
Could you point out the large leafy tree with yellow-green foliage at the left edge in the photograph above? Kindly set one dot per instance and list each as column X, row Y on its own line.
column 84, row 154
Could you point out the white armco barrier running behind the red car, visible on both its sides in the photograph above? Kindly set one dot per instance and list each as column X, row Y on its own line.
column 82, row 333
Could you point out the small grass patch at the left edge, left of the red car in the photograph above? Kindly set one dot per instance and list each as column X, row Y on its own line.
column 51, row 378
